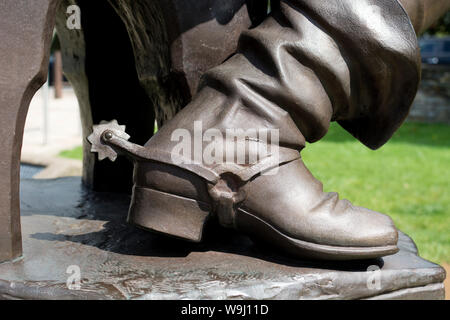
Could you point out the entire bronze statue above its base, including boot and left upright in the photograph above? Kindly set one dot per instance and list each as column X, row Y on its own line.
column 294, row 70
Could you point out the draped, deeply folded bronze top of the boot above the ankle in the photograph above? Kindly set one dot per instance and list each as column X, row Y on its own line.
column 355, row 62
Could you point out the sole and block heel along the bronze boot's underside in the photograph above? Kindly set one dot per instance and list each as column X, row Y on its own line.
column 185, row 218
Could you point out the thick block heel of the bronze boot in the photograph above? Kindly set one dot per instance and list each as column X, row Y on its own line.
column 170, row 214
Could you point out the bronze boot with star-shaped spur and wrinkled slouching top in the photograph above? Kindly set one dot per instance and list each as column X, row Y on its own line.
column 310, row 62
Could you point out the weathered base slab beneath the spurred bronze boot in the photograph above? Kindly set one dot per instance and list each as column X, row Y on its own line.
column 77, row 245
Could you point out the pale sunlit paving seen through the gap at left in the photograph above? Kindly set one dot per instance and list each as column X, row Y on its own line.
column 44, row 139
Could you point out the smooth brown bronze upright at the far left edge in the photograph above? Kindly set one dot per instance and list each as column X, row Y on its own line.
column 26, row 29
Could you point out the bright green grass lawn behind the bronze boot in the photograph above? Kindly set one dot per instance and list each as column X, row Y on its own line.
column 408, row 179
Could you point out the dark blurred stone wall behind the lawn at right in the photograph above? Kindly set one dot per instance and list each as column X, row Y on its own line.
column 432, row 103
